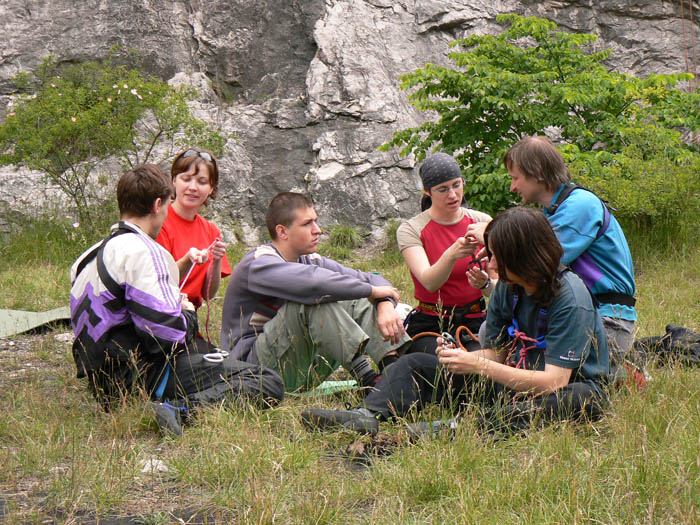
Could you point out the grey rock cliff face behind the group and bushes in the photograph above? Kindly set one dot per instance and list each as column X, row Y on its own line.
column 308, row 87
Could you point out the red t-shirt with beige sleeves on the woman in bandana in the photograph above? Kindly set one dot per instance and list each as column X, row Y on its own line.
column 435, row 238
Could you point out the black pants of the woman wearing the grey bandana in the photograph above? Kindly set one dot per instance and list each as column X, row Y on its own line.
column 425, row 322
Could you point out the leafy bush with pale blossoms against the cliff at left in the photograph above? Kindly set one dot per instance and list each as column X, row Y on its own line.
column 72, row 117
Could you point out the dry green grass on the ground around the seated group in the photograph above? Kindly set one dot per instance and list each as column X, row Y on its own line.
column 67, row 461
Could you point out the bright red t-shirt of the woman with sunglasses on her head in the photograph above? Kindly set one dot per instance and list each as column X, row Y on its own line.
column 178, row 235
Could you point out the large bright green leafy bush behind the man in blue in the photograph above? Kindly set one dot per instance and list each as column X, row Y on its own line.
column 531, row 79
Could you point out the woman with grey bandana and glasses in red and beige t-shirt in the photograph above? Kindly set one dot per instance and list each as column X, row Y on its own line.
column 448, row 283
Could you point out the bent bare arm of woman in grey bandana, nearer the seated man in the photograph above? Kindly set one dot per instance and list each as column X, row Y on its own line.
column 433, row 277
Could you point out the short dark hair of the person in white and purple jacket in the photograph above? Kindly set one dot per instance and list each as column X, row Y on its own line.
column 139, row 188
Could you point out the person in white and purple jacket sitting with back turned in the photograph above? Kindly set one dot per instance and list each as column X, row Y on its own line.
column 133, row 330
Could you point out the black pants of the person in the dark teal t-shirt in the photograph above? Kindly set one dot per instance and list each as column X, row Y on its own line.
column 418, row 379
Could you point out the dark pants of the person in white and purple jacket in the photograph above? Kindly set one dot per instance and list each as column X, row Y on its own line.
column 192, row 379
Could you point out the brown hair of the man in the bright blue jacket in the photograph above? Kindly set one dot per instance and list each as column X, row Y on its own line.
column 537, row 158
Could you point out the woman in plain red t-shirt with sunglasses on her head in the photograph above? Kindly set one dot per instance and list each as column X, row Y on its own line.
column 194, row 242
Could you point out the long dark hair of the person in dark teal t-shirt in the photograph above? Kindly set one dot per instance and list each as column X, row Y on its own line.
column 525, row 244
